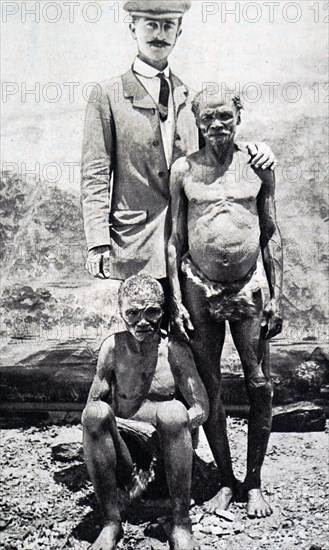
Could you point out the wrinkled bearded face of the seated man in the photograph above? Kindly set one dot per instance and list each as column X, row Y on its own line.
column 142, row 317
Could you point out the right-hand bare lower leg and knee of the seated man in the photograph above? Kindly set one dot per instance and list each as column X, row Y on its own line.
column 172, row 425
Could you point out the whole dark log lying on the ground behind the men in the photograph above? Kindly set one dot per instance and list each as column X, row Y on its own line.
column 60, row 375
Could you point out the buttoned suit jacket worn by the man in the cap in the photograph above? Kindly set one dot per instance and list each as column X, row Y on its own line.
column 125, row 179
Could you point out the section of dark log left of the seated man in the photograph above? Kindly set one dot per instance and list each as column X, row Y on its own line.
column 44, row 372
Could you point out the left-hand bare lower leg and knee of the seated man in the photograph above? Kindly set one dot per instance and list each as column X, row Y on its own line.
column 104, row 449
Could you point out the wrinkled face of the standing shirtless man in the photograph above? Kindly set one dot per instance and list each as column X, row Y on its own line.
column 218, row 122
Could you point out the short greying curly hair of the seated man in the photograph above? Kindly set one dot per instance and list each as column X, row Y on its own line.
column 141, row 286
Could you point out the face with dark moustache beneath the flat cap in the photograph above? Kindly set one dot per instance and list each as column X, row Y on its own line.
column 156, row 38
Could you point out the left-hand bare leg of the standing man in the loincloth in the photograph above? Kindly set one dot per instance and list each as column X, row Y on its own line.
column 207, row 342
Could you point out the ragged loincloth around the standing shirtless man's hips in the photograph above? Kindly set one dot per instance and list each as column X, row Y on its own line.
column 226, row 301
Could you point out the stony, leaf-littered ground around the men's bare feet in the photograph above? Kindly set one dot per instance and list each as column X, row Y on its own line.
column 45, row 509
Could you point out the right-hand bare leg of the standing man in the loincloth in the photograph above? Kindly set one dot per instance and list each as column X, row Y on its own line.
column 254, row 355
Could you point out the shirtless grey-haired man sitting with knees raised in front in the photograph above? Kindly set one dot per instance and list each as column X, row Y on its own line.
column 126, row 368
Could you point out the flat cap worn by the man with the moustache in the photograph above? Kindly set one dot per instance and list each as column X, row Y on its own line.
column 158, row 9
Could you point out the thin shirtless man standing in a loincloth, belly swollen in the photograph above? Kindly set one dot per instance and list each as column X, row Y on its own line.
column 222, row 221
